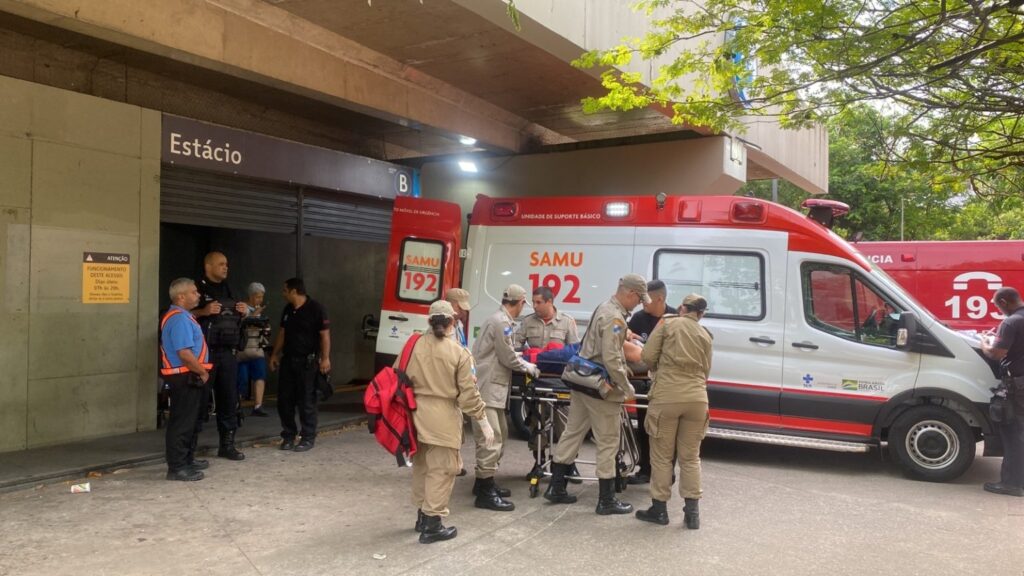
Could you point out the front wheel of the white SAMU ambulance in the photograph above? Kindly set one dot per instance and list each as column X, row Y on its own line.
column 932, row 443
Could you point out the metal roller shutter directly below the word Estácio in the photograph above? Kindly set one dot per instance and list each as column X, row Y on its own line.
column 198, row 198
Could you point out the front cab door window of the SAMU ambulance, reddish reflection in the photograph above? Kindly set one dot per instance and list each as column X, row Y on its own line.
column 838, row 302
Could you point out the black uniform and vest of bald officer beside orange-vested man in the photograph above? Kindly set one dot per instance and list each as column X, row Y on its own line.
column 224, row 336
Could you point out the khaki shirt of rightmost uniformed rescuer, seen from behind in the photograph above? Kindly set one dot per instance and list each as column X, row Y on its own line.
column 680, row 352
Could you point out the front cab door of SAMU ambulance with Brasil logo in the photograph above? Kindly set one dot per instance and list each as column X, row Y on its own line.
column 841, row 362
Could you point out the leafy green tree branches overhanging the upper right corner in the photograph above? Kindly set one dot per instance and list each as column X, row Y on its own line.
column 949, row 73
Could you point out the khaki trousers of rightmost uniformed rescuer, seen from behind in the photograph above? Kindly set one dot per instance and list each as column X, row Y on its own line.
column 676, row 428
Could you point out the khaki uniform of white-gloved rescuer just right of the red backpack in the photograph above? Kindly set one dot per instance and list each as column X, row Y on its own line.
column 496, row 361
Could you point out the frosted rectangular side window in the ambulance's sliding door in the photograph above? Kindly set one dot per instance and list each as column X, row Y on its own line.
column 733, row 282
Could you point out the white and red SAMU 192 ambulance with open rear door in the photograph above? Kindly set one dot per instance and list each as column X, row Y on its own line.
column 815, row 346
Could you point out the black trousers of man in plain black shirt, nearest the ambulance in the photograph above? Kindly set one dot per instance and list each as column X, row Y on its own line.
column 297, row 391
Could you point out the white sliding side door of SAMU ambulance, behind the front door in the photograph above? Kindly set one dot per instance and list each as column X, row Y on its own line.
column 744, row 279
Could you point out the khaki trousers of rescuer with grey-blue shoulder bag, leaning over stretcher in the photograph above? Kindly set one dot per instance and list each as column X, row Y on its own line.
column 589, row 414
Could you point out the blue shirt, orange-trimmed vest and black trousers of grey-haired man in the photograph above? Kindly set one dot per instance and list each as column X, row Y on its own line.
column 179, row 331
